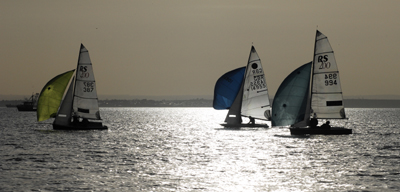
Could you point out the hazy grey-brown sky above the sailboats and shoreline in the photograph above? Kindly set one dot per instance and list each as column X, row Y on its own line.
column 183, row 47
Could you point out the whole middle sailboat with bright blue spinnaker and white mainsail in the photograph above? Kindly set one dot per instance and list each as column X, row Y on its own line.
column 244, row 92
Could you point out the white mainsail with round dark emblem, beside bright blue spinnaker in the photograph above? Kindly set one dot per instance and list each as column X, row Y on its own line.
column 255, row 101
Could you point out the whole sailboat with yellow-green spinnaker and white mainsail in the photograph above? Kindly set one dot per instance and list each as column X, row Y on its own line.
column 71, row 98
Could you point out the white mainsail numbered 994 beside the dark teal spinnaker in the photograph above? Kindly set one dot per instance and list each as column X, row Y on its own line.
column 326, row 94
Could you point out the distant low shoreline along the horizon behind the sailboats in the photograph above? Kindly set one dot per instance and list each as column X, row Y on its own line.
column 349, row 103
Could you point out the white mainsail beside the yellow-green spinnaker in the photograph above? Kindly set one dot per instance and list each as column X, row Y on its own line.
column 85, row 102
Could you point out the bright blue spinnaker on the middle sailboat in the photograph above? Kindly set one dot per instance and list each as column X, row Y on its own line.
column 227, row 87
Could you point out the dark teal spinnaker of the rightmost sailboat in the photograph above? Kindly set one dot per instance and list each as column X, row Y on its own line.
column 290, row 101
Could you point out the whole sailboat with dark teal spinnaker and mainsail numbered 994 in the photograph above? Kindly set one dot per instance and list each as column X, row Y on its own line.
column 311, row 92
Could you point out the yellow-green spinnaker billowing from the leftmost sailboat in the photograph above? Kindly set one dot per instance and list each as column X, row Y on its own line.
column 51, row 95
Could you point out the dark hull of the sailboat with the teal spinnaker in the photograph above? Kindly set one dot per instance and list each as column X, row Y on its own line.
column 310, row 131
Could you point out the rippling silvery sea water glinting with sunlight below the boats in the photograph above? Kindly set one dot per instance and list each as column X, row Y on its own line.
column 185, row 149
